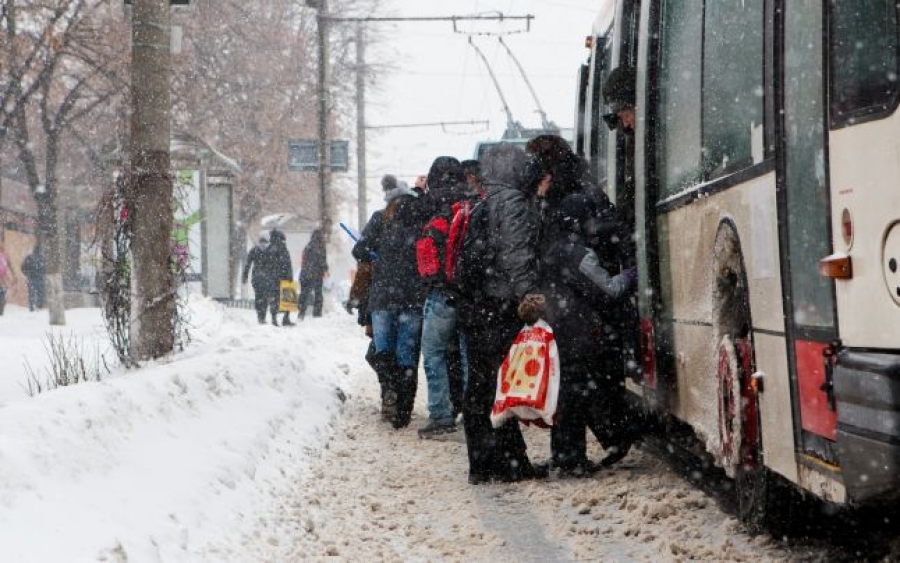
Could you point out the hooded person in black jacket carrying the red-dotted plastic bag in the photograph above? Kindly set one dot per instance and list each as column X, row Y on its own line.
column 491, row 319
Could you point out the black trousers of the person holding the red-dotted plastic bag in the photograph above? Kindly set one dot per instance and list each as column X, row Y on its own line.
column 499, row 452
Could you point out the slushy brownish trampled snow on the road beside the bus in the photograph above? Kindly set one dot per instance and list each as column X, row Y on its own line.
column 380, row 494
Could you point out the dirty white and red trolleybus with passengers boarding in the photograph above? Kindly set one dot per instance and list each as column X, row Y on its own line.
column 763, row 182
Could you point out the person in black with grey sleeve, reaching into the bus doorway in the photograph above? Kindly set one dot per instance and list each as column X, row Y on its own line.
column 580, row 294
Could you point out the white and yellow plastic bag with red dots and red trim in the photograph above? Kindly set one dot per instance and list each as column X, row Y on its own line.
column 528, row 379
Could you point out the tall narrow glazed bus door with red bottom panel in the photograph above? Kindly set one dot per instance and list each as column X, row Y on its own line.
column 804, row 218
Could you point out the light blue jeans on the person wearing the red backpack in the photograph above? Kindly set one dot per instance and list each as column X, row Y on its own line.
column 439, row 329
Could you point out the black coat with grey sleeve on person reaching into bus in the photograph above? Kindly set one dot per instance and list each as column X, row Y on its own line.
column 583, row 299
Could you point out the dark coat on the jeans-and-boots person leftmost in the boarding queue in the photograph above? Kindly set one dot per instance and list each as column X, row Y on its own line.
column 390, row 236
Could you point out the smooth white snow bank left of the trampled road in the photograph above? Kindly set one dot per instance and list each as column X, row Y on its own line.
column 156, row 463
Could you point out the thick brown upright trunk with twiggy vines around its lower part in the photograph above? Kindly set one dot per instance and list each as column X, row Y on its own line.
column 150, row 183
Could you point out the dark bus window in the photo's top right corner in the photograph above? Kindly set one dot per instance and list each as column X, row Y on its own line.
column 864, row 58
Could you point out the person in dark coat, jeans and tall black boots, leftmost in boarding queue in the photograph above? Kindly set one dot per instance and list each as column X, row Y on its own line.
column 396, row 296
